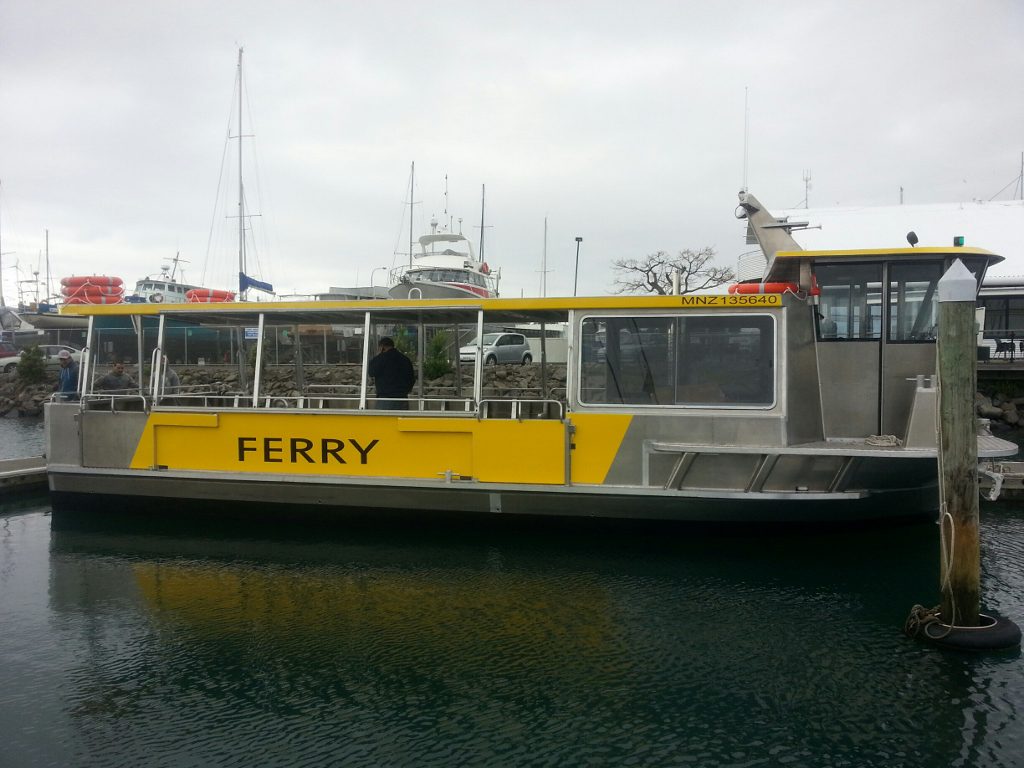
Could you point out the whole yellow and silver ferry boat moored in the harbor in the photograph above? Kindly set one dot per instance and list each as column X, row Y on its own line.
column 807, row 397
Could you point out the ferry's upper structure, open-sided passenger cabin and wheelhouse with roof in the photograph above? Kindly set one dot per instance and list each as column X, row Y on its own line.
column 836, row 355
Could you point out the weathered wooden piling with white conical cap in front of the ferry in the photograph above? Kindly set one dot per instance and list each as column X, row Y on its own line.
column 961, row 578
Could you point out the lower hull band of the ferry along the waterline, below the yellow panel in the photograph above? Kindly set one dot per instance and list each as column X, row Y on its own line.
column 74, row 490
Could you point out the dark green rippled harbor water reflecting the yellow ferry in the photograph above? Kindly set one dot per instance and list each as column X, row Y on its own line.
column 220, row 644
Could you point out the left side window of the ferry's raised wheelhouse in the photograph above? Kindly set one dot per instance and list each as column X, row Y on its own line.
column 850, row 307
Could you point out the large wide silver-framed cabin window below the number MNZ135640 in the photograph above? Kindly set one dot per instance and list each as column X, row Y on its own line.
column 696, row 361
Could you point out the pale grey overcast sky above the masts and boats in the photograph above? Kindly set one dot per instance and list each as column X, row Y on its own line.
column 622, row 122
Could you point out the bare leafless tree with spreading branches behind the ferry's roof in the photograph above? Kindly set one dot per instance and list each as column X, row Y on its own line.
column 654, row 273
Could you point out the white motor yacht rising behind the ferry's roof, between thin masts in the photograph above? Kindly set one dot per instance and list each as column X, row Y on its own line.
column 445, row 268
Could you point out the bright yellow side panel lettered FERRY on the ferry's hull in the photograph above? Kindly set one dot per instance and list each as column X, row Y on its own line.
column 368, row 446
